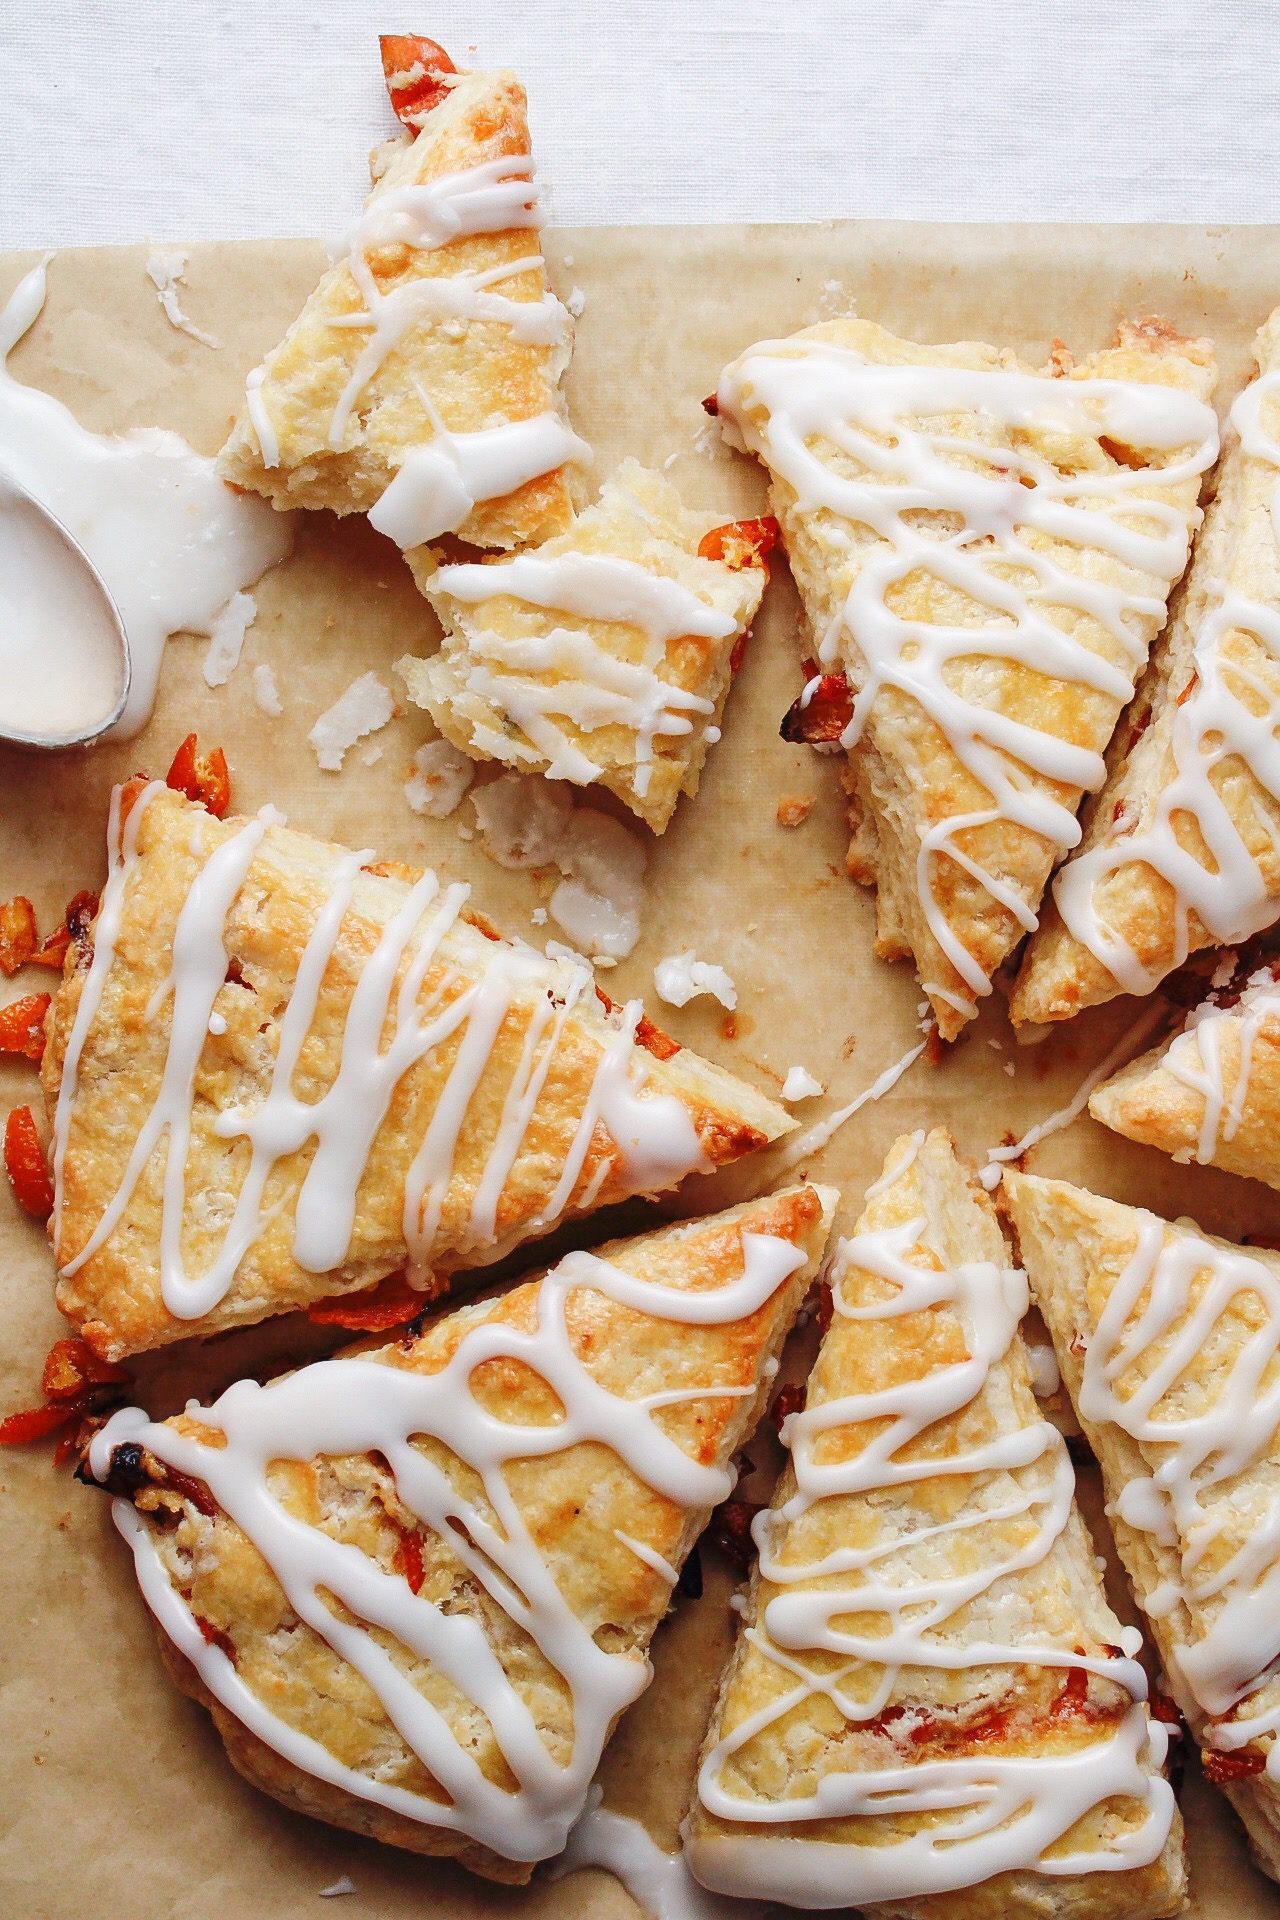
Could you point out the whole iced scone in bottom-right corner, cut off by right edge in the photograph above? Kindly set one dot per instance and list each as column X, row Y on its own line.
column 1170, row 1345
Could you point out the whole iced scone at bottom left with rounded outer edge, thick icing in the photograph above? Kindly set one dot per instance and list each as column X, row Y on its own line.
column 417, row 1585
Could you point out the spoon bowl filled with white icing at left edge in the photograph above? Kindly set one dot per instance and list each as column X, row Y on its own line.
column 64, row 650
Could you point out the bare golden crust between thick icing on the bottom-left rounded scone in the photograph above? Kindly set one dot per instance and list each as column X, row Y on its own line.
column 571, row 1500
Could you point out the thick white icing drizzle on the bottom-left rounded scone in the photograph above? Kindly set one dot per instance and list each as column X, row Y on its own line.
column 360, row 1406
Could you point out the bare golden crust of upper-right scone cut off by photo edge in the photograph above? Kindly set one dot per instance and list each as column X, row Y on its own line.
column 1237, row 550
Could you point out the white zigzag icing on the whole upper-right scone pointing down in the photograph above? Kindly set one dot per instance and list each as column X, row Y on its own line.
column 913, row 477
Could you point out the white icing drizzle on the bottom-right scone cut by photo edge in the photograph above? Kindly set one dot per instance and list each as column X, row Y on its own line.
column 1177, row 1299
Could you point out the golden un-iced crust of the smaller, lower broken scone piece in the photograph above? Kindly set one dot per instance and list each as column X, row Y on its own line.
column 642, row 519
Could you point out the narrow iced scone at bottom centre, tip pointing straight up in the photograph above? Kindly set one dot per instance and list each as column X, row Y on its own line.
column 928, row 1712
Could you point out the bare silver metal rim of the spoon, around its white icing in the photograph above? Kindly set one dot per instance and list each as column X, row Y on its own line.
column 49, row 550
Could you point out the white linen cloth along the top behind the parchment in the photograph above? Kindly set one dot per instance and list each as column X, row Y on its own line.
column 220, row 120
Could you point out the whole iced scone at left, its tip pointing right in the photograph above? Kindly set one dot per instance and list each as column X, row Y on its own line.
column 283, row 1074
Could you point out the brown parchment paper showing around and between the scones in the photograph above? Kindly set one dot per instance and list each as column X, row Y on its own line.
column 116, row 1798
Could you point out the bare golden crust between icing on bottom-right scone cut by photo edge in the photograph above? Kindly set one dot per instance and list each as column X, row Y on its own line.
column 1076, row 1245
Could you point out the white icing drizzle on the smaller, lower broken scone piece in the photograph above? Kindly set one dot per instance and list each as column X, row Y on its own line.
column 592, row 686
